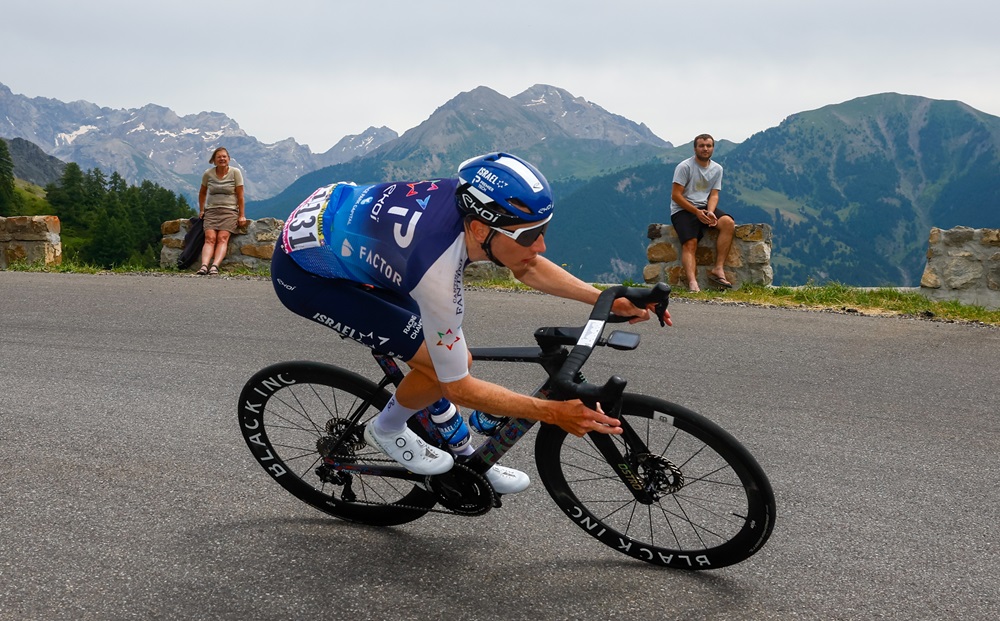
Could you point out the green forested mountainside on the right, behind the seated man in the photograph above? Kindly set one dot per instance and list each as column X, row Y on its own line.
column 851, row 190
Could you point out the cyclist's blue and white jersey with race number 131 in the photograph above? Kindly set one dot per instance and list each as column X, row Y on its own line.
column 406, row 237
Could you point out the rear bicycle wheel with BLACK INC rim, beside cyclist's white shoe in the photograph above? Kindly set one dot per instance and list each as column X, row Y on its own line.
column 292, row 413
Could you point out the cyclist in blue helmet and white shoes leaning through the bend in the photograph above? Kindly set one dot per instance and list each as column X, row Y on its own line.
column 383, row 263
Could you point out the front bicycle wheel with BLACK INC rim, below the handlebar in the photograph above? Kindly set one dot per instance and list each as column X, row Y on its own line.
column 678, row 492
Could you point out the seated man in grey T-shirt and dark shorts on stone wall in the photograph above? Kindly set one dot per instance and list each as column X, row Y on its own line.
column 693, row 208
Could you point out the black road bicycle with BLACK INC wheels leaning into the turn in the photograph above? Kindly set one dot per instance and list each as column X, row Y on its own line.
column 674, row 489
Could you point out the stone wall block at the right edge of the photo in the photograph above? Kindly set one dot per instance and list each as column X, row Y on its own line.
column 963, row 265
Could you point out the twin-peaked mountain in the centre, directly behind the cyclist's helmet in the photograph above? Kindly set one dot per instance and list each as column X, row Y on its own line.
column 567, row 137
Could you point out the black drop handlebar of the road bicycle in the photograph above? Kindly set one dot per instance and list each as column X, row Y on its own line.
column 565, row 379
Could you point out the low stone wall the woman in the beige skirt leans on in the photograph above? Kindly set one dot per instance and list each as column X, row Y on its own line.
column 250, row 247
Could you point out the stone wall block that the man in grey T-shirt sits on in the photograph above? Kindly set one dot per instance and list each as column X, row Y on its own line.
column 749, row 259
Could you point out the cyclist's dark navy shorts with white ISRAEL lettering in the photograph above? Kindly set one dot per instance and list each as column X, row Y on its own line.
column 377, row 318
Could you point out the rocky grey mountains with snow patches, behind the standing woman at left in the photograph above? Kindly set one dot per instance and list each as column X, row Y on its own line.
column 153, row 143
